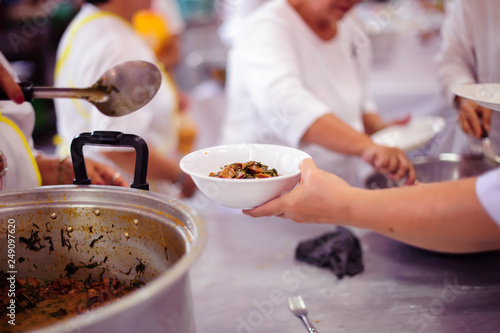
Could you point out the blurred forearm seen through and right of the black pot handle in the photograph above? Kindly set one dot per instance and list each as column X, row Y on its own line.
column 159, row 166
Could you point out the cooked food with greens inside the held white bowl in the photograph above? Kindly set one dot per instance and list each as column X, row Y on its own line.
column 247, row 170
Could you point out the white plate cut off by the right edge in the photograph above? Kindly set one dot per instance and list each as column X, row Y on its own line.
column 485, row 94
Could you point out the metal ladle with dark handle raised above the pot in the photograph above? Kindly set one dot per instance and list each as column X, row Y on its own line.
column 123, row 89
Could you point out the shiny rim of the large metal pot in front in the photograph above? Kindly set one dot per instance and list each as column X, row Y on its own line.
column 151, row 289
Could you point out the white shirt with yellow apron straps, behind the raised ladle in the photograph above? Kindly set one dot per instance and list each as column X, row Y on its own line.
column 94, row 42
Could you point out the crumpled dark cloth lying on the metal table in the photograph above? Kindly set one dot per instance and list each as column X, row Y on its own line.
column 339, row 251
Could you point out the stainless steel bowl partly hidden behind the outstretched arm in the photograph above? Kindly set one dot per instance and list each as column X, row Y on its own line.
column 443, row 167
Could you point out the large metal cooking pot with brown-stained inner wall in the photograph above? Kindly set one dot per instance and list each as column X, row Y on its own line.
column 125, row 233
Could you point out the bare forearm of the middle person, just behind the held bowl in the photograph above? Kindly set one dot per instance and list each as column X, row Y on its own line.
column 332, row 133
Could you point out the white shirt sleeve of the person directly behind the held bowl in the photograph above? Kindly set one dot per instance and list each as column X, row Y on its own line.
column 273, row 79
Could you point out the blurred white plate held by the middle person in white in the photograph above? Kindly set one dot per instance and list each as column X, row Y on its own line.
column 412, row 135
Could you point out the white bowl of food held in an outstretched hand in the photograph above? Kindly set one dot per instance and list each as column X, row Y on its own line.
column 244, row 193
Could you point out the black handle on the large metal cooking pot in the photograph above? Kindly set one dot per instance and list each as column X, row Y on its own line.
column 110, row 138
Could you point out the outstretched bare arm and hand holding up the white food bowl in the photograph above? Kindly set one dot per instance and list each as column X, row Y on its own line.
column 460, row 216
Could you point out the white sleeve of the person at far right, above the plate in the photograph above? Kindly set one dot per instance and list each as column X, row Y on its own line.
column 455, row 60
